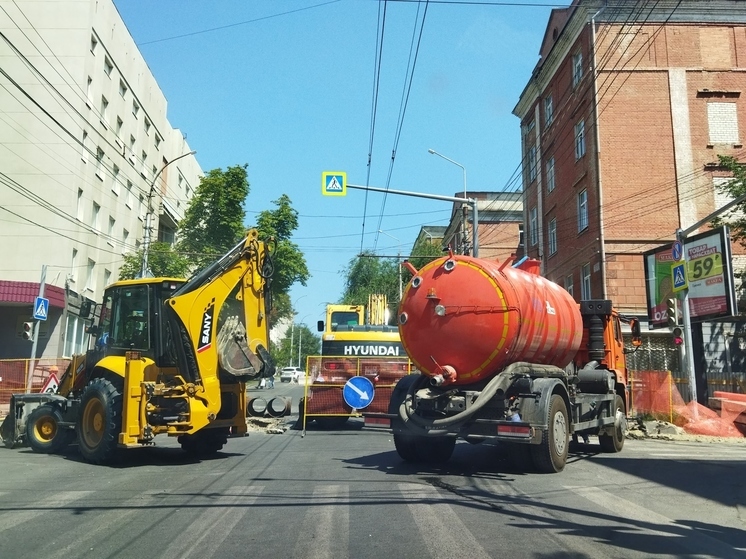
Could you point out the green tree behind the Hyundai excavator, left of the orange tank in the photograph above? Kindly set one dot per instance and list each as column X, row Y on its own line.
column 368, row 274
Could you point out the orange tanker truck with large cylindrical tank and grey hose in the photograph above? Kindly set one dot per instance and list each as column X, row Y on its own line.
column 507, row 355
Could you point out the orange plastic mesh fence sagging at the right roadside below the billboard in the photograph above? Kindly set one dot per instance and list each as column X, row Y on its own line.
column 655, row 394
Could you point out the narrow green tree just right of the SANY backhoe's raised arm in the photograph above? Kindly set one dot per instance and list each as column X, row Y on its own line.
column 289, row 263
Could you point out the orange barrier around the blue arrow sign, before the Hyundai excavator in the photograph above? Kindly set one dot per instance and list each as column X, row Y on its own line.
column 324, row 400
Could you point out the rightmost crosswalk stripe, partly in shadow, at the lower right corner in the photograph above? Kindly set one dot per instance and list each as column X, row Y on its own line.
column 695, row 543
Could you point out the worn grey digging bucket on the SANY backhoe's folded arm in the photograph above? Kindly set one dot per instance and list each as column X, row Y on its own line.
column 236, row 358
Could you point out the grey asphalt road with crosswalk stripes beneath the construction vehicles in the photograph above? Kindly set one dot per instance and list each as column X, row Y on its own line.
column 346, row 493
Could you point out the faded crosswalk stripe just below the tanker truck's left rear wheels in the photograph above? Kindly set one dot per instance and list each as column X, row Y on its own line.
column 441, row 529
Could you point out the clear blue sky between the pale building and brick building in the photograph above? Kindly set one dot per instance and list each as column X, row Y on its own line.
column 289, row 88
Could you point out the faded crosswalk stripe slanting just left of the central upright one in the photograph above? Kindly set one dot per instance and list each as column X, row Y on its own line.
column 212, row 526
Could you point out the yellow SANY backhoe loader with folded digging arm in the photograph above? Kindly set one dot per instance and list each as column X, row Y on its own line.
column 171, row 356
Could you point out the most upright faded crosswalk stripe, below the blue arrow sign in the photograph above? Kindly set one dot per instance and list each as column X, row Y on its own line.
column 326, row 525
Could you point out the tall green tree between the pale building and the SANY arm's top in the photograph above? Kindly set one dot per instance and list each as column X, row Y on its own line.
column 214, row 220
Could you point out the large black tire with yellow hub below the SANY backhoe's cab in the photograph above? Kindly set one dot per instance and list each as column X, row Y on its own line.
column 99, row 421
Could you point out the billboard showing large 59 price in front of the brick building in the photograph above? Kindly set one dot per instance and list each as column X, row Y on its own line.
column 709, row 276
